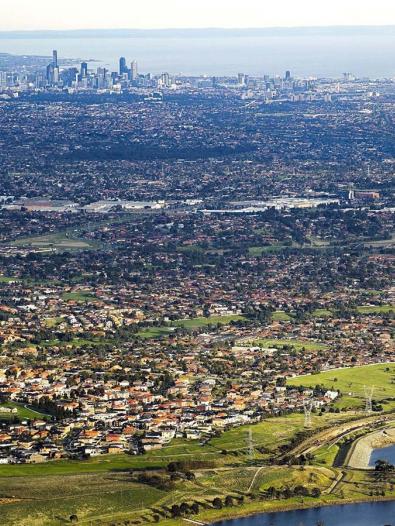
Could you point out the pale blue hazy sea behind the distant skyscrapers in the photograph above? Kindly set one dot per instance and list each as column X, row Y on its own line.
column 305, row 55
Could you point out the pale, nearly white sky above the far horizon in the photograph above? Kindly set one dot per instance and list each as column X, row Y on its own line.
column 84, row 14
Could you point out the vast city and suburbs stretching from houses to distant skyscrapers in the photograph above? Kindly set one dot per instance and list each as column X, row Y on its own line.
column 174, row 249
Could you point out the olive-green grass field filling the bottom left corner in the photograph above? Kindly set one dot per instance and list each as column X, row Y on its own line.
column 52, row 500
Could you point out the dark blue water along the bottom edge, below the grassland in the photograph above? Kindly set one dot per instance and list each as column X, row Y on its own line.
column 366, row 514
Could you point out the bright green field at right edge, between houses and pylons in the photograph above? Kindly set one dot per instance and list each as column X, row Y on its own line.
column 351, row 382
